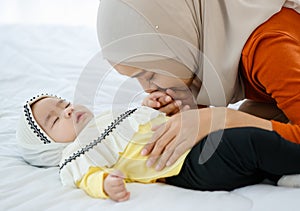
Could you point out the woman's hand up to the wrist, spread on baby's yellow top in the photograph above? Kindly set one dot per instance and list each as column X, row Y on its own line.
column 174, row 138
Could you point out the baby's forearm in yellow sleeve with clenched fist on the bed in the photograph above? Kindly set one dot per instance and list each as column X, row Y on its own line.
column 98, row 183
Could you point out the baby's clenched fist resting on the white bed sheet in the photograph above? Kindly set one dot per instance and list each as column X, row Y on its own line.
column 114, row 187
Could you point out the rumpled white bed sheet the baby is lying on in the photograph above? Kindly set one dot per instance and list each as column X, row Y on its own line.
column 36, row 59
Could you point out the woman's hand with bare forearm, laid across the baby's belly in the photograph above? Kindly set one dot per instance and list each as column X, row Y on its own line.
column 183, row 130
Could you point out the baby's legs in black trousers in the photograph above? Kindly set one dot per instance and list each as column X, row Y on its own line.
column 241, row 156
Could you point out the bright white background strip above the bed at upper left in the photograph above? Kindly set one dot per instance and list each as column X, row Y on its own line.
column 65, row 12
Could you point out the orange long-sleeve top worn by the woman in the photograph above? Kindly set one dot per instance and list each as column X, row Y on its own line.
column 271, row 69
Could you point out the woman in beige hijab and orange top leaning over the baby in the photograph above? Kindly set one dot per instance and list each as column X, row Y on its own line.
column 208, row 53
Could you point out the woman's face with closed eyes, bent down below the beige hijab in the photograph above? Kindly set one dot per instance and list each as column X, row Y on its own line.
column 152, row 81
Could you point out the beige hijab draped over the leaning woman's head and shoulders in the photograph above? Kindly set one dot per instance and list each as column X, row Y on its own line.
column 185, row 39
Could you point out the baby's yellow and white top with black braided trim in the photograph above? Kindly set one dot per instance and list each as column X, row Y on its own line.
column 113, row 141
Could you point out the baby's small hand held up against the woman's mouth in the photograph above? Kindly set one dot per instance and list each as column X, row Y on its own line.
column 163, row 102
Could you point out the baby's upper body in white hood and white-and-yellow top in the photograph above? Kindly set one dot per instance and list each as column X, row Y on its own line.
column 98, row 154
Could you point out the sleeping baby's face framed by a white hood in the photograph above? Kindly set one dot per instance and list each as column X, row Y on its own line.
column 61, row 120
